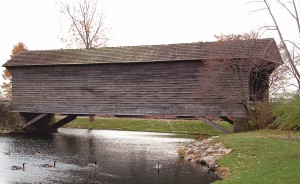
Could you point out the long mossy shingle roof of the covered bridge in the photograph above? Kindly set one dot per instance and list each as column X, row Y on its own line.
column 260, row 48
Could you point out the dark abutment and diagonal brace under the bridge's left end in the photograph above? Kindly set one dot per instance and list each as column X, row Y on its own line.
column 38, row 123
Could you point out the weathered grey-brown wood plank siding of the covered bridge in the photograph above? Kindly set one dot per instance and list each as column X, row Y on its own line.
column 161, row 88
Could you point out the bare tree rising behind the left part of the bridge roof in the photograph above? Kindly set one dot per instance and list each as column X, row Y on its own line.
column 86, row 29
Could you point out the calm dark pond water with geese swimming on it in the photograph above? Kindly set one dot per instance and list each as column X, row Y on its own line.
column 123, row 157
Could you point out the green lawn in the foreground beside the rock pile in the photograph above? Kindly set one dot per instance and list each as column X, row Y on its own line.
column 262, row 157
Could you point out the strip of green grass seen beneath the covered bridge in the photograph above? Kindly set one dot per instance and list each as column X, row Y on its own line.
column 191, row 127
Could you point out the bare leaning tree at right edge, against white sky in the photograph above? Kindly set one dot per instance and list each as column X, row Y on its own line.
column 290, row 48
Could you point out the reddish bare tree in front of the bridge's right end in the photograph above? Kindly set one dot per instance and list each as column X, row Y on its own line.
column 252, row 96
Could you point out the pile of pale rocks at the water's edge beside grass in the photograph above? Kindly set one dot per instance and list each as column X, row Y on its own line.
column 205, row 153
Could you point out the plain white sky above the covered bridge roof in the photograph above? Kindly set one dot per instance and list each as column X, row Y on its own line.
column 36, row 23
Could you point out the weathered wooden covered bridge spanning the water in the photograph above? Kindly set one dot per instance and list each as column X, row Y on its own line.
column 188, row 79
